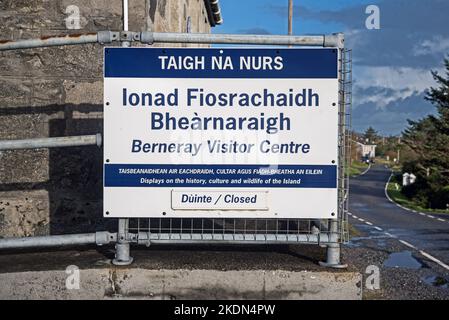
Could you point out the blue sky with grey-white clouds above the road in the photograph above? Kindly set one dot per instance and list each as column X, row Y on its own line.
column 391, row 65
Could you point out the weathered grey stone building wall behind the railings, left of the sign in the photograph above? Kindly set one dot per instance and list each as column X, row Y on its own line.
column 57, row 92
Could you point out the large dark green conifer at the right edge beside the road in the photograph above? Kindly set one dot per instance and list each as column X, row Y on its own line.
column 428, row 138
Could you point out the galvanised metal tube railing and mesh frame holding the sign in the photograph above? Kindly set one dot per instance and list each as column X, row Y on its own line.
column 330, row 233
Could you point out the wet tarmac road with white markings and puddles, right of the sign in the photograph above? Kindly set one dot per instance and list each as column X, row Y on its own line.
column 407, row 243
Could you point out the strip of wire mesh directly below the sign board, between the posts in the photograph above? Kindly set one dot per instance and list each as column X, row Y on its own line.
column 227, row 229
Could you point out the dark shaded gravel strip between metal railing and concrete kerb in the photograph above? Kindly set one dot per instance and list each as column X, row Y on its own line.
column 227, row 257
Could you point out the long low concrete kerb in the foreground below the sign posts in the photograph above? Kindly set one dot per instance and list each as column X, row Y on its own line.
column 124, row 283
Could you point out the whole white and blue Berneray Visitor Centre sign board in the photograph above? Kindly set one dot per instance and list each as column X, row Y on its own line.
column 236, row 133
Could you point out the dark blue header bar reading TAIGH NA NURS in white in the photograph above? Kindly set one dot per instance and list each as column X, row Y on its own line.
column 220, row 63
